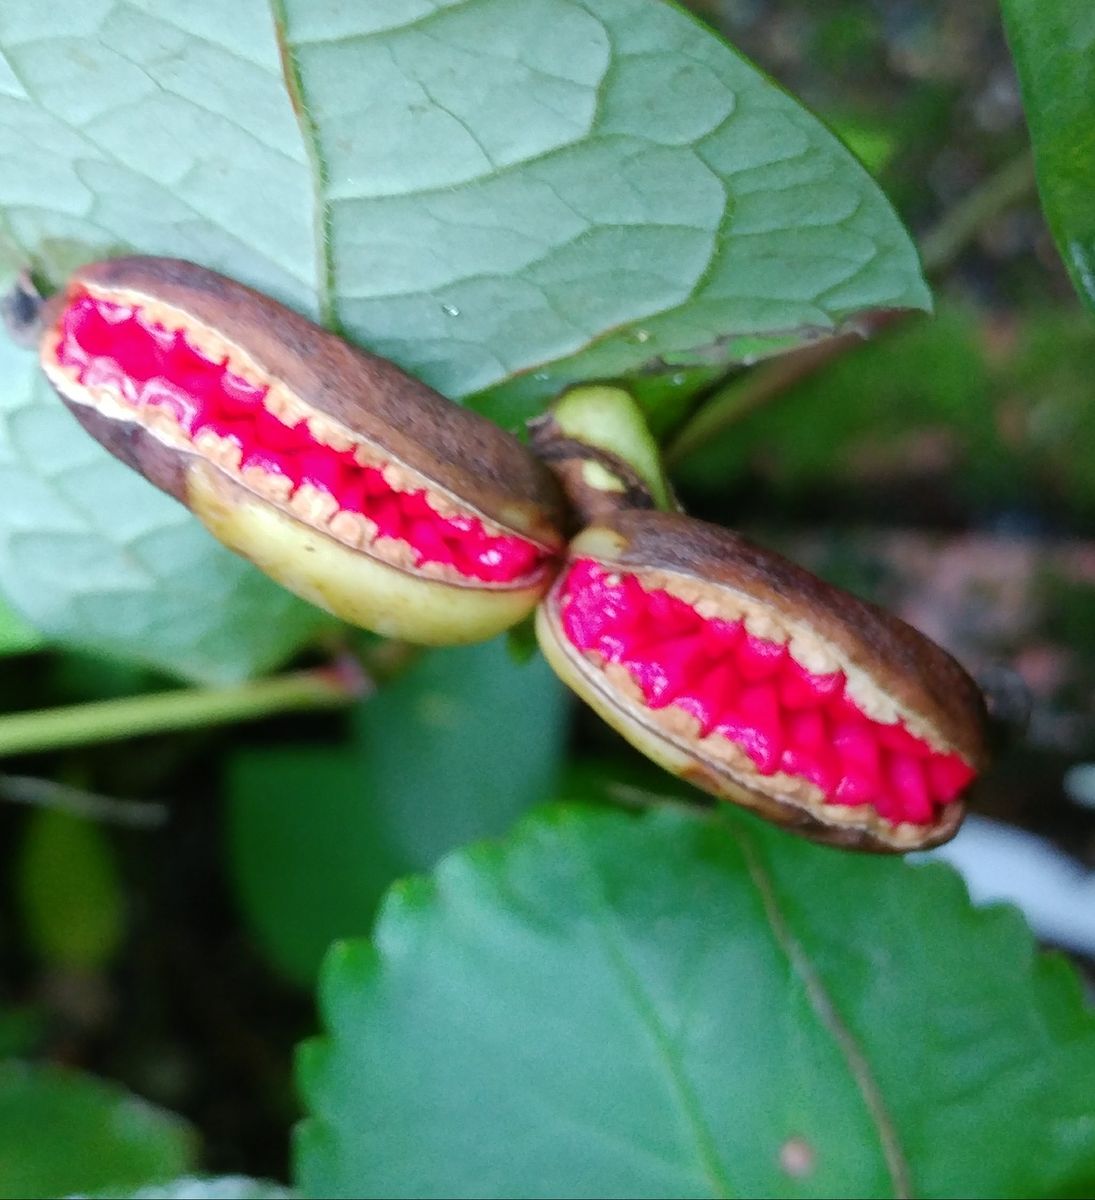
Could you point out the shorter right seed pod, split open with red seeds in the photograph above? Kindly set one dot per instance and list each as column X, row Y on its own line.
column 762, row 685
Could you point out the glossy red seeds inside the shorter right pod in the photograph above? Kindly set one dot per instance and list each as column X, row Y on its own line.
column 751, row 692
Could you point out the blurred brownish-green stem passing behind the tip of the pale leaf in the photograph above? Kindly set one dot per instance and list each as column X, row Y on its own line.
column 940, row 249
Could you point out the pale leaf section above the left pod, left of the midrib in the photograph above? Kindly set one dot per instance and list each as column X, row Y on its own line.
column 159, row 128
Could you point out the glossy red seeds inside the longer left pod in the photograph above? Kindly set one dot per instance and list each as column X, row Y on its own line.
column 117, row 347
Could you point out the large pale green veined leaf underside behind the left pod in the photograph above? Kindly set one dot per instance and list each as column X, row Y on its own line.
column 500, row 195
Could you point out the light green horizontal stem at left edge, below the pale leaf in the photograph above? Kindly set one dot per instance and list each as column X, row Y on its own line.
column 115, row 721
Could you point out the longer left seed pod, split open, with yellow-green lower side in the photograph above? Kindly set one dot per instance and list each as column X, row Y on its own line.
column 349, row 482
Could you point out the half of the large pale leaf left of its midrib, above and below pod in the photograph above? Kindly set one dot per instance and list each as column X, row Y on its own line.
column 160, row 129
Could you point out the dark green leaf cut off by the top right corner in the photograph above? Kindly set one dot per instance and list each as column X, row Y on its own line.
column 1054, row 44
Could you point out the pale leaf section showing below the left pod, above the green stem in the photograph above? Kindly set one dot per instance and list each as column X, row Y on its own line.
column 99, row 559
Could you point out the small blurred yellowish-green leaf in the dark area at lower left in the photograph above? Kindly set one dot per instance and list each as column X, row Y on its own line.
column 70, row 892
